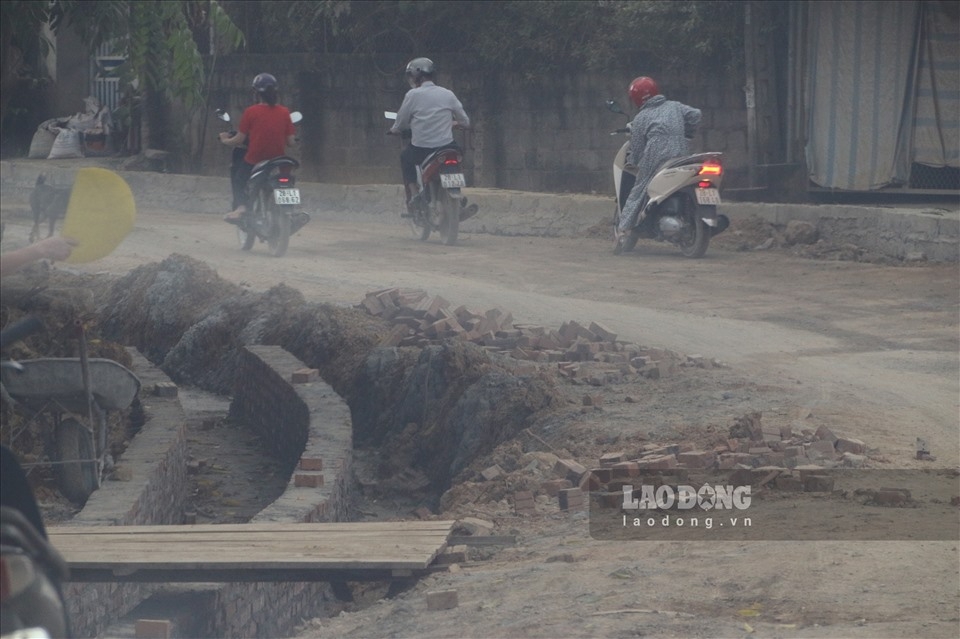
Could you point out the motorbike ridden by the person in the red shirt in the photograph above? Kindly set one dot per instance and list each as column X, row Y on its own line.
column 274, row 199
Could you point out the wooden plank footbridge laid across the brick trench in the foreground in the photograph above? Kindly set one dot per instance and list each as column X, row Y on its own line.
column 250, row 552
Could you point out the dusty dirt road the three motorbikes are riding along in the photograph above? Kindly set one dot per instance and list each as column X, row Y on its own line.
column 876, row 346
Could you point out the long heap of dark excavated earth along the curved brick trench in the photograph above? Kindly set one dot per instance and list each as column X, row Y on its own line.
column 433, row 410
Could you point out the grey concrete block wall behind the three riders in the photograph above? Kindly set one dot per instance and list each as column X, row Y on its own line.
column 547, row 134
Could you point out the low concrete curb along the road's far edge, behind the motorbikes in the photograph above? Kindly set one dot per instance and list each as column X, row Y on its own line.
column 894, row 232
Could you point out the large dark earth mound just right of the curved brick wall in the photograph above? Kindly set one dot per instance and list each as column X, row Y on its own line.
column 438, row 409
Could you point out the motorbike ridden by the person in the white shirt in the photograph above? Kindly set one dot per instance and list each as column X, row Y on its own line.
column 441, row 205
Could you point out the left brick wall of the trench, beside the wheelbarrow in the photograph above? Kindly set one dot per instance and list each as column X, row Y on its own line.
column 155, row 494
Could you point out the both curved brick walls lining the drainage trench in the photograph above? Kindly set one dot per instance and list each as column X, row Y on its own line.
column 305, row 421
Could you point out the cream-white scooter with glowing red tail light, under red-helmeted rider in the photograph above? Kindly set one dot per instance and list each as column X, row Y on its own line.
column 680, row 206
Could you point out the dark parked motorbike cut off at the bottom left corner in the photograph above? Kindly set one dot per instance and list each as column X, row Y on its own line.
column 32, row 572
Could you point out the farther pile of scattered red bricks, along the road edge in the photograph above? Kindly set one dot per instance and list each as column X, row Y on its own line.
column 589, row 354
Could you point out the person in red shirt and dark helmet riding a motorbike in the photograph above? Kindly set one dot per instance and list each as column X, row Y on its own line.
column 267, row 130
